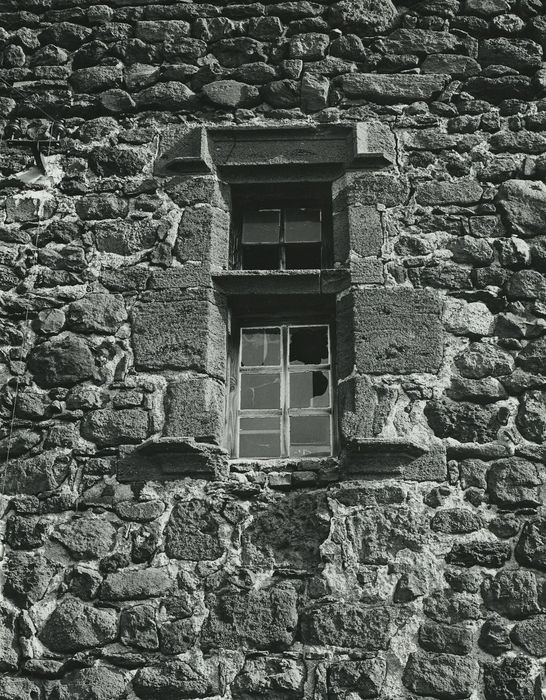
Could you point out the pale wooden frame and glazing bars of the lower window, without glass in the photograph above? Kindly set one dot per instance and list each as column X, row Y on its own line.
column 284, row 322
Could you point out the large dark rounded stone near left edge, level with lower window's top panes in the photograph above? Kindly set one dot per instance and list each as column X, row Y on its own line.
column 63, row 361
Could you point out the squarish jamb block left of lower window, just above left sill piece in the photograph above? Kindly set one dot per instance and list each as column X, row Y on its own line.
column 195, row 406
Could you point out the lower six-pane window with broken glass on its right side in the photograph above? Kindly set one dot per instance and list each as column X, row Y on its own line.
column 283, row 395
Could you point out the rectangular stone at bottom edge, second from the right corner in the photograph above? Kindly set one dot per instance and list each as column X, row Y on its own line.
column 443, row 676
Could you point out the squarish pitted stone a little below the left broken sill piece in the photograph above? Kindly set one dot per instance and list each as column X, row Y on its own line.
column 193, row 532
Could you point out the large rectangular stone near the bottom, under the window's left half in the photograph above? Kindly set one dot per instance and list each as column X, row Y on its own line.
column 260, row 619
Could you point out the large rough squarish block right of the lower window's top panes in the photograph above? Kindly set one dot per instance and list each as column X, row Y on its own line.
column 394, row 331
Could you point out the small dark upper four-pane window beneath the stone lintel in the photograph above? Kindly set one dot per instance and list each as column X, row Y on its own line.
column 281, row 227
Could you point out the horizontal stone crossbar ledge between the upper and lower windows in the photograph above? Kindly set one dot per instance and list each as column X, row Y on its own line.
column 247, row 282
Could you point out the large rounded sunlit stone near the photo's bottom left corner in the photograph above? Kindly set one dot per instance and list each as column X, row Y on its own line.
column 74, row 626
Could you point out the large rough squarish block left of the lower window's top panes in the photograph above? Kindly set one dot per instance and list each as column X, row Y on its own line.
column 179, row 330
